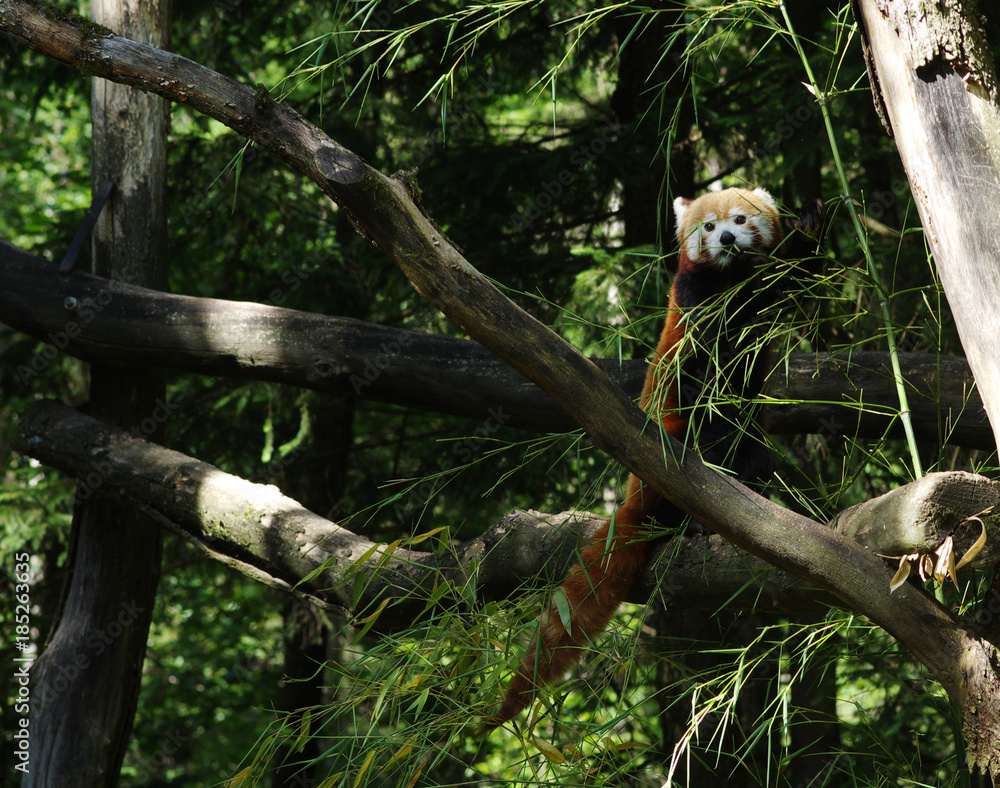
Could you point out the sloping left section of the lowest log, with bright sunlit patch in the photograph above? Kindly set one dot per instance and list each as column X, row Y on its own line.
column 258, row 529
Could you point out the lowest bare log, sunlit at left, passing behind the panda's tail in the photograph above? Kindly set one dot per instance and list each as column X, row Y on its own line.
column 256, row 530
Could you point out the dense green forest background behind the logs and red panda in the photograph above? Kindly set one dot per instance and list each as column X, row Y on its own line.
column 549, row 139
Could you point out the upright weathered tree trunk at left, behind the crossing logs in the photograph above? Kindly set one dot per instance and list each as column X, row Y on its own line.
column 87, row 679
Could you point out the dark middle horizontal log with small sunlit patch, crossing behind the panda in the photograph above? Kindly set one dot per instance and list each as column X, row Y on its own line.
column 116, row 323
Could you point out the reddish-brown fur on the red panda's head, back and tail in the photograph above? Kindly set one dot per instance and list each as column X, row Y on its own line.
column 599, row 583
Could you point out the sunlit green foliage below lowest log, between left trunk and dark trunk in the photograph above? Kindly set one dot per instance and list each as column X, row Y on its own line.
column 207, row 674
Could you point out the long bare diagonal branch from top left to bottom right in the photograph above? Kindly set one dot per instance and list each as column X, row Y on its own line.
column 385, row 212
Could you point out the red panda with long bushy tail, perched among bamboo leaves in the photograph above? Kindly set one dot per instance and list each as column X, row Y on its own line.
column 723, row 238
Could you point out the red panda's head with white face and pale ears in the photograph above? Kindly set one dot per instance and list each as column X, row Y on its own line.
column 718, row 225
